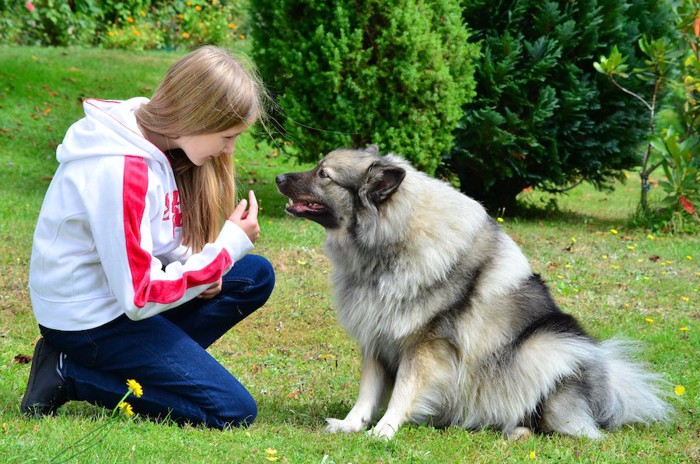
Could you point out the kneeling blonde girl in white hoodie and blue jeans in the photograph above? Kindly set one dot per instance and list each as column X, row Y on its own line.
column 135, row 269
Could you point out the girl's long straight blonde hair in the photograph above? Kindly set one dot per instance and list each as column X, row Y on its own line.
column 207, row 91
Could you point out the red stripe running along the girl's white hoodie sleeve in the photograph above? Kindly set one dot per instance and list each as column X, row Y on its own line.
column 145, row 290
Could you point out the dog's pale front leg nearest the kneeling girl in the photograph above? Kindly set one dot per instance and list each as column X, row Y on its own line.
column 372, row 386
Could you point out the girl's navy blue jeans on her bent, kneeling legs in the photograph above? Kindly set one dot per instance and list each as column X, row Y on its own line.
column 167, row 355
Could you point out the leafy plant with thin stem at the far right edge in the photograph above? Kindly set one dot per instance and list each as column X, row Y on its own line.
column 671, row 67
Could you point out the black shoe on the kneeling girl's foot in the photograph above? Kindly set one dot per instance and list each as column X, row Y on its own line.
column 46, row 389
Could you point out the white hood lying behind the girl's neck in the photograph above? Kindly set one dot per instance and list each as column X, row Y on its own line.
column 108, row 129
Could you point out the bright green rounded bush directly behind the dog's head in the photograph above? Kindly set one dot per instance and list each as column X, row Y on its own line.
column 350, row 73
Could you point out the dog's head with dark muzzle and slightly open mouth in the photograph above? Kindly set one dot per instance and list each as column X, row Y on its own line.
column 342, row 184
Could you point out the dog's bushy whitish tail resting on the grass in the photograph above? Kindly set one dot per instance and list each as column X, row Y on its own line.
column 634, row 393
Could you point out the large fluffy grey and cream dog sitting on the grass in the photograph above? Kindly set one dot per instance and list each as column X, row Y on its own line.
column 454, row 327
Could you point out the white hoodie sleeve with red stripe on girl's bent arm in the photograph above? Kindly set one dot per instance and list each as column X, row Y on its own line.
column 123, row 223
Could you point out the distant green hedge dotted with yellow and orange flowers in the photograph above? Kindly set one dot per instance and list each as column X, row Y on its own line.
column 130, row 25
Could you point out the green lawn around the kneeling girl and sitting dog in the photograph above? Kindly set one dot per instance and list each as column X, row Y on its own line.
column 291, row 354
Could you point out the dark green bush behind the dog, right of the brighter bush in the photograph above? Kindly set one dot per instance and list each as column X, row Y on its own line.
column 543, row 117
